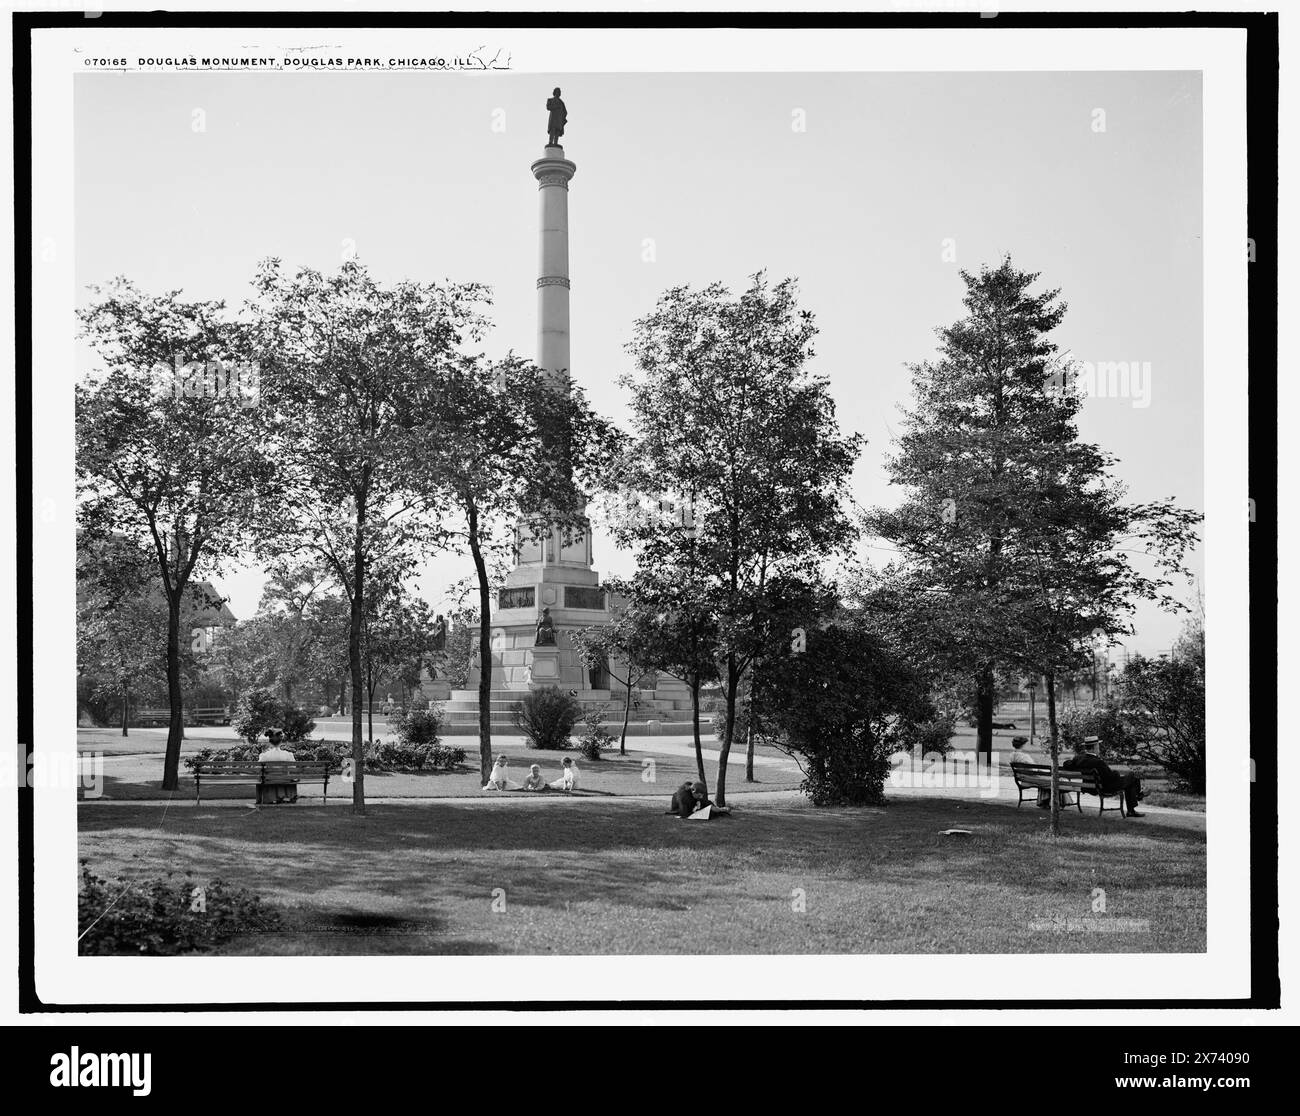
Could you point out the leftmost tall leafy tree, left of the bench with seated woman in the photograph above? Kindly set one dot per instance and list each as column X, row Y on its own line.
column 167, row 452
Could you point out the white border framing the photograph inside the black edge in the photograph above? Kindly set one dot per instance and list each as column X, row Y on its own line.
column 1221, row 974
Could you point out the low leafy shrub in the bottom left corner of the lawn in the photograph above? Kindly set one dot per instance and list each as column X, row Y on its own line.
column 159, row 916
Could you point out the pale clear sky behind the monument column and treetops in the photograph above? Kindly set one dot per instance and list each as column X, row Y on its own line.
column 874, row 191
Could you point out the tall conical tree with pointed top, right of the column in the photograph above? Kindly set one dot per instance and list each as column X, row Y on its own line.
column 968, row 453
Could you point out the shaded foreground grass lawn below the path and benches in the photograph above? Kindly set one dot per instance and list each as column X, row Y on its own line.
column 616, row 876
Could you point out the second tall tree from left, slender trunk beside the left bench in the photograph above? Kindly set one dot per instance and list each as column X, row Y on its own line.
column 350, row 370
